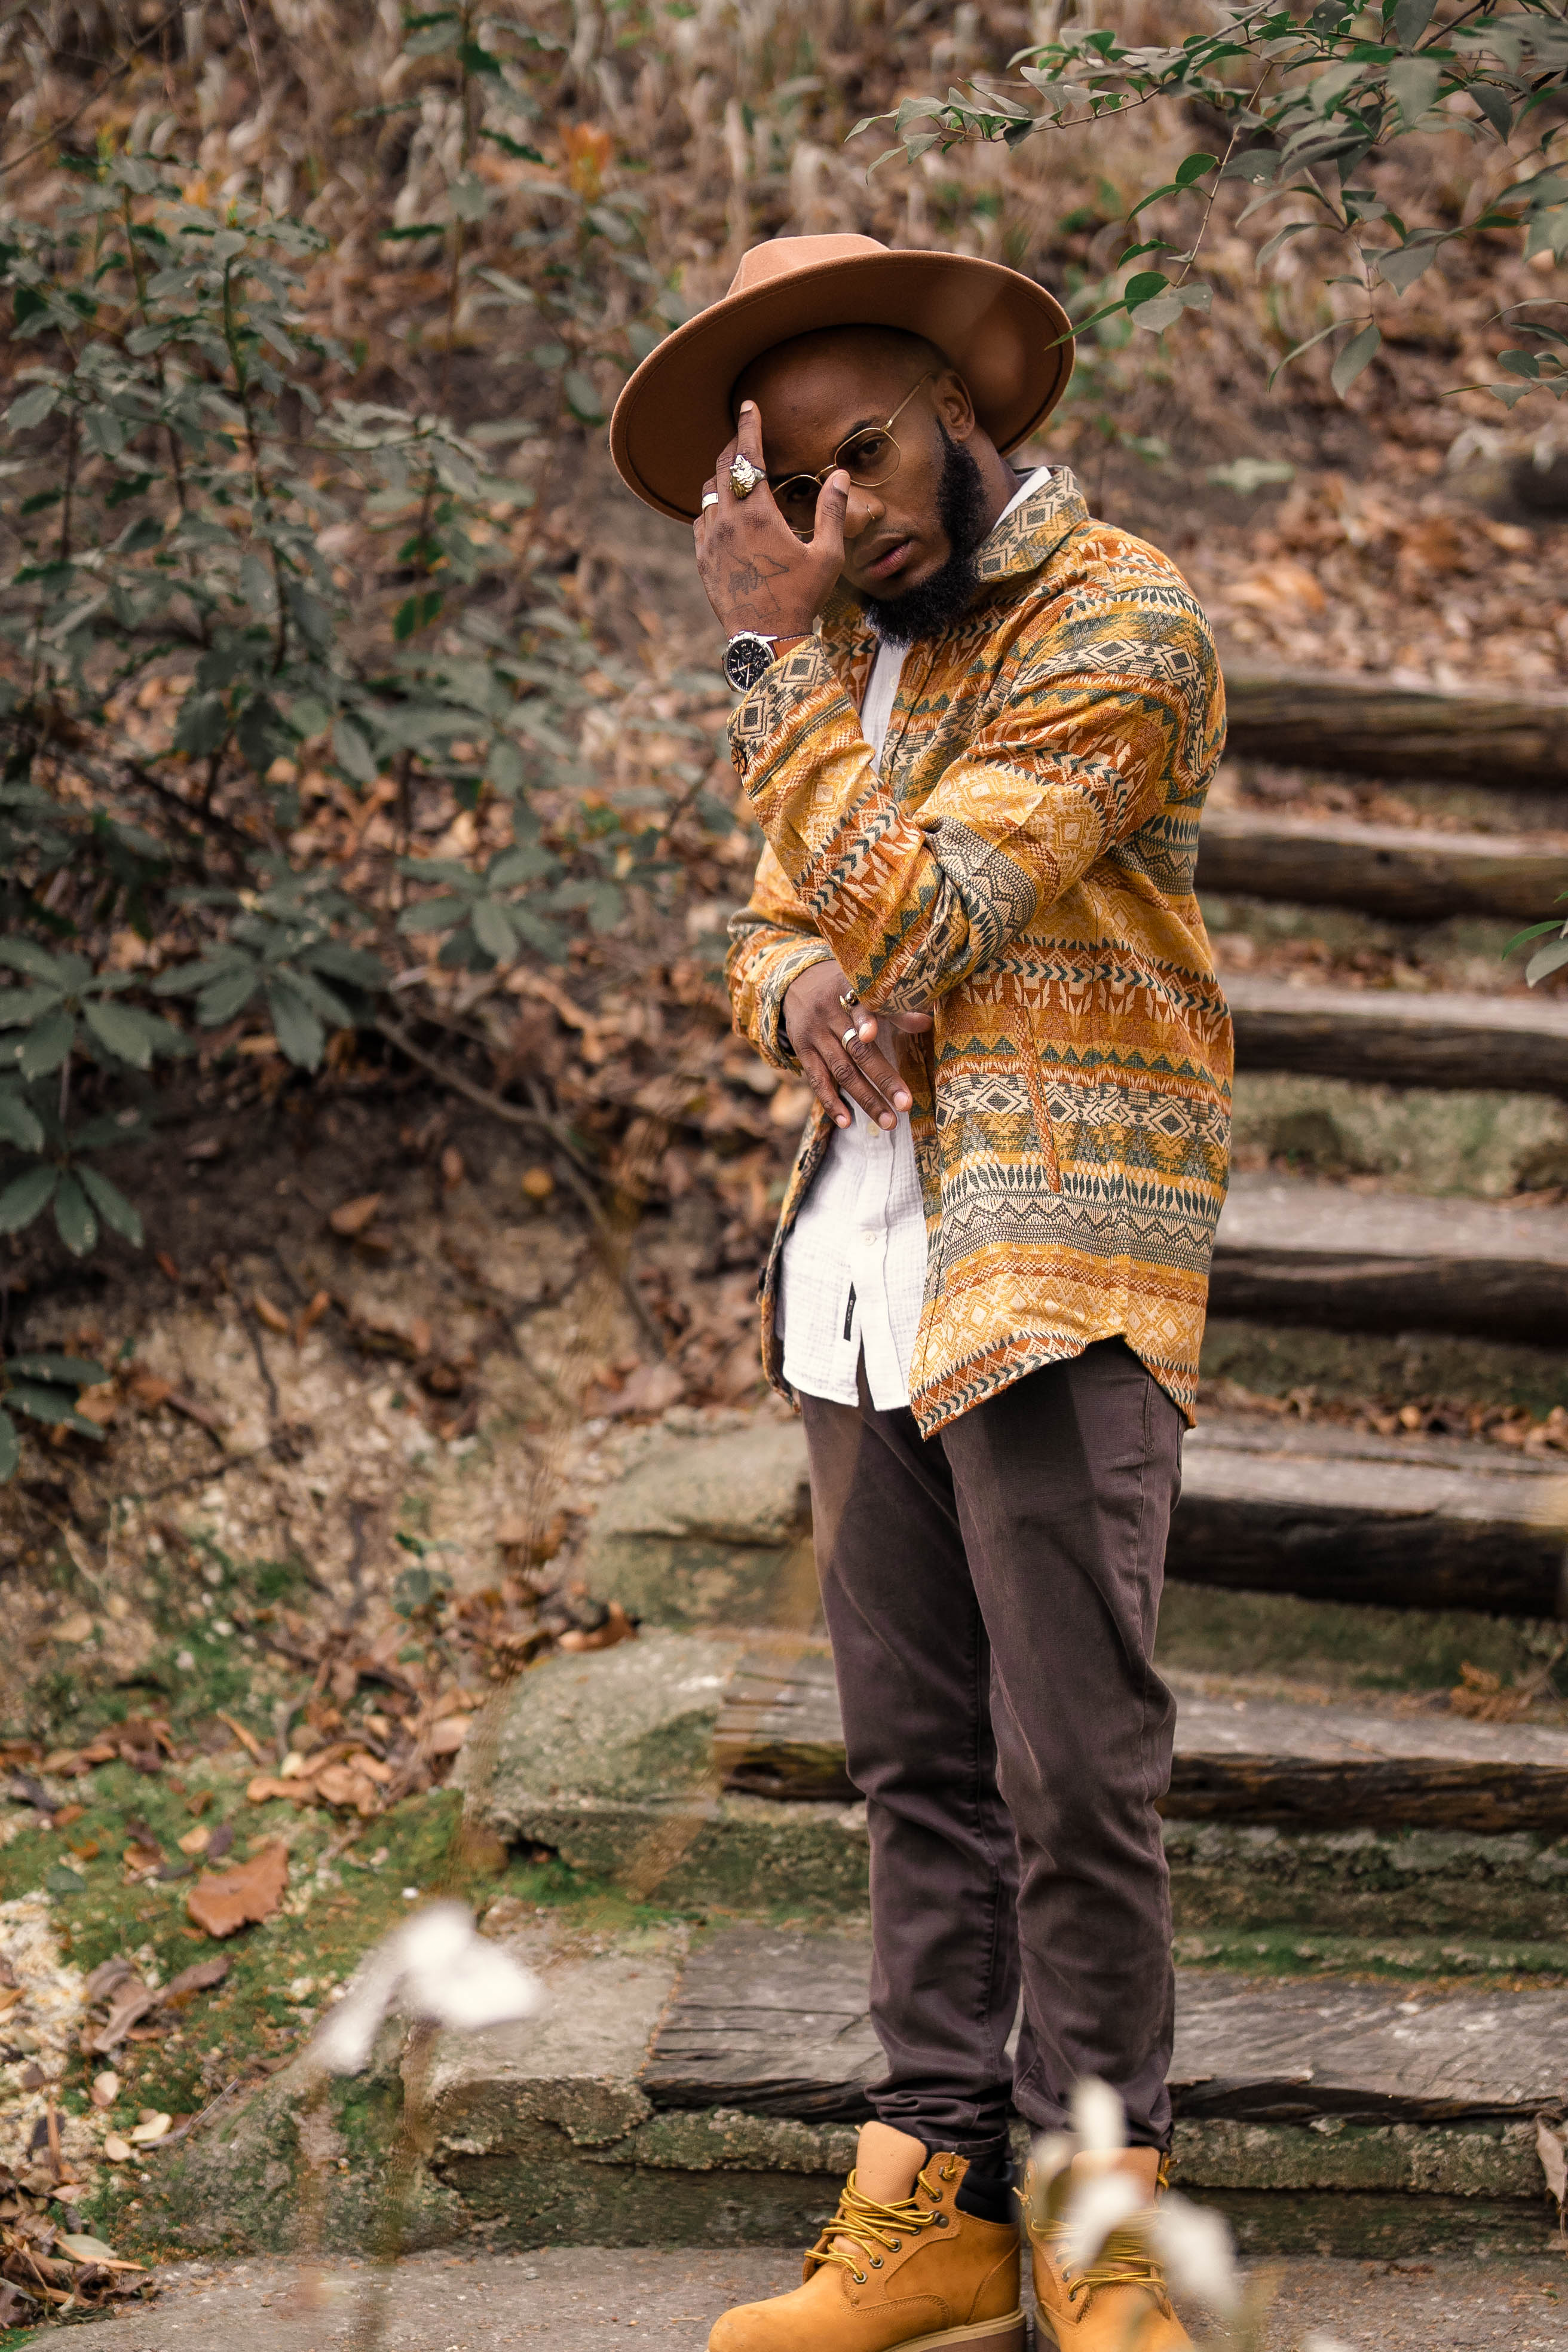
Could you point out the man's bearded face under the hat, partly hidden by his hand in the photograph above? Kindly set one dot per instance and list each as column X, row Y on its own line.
column 822, row 389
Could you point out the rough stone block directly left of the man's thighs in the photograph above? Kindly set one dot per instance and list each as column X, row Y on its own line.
column 711, row 1532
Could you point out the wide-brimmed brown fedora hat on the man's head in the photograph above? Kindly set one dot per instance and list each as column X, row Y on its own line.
column 998, row 328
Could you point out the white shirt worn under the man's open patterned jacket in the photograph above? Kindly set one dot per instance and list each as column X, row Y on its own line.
column 855, row 1269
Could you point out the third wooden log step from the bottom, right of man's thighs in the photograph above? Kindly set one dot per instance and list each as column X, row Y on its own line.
column 1341, row 1516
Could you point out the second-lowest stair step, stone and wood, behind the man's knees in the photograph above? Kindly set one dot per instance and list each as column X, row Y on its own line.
column 662, row 1765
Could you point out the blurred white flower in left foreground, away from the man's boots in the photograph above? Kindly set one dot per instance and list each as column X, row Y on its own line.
column 434, row 1970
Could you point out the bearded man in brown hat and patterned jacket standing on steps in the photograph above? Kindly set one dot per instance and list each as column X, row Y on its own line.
column 977, row 730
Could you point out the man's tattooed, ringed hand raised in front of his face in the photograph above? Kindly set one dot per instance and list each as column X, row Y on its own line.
column 756, row 570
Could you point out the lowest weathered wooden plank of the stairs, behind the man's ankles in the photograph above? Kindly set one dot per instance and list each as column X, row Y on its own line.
column 777, row 2024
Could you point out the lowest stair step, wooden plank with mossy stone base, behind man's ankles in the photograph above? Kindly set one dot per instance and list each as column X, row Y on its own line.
column 709, row 2092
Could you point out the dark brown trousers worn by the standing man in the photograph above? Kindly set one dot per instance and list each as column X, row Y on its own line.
column 991, row 1598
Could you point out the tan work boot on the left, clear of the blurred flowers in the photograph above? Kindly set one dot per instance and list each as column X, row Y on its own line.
column 897, row 2271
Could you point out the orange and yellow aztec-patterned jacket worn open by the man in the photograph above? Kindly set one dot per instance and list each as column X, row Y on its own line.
column 1021, row 867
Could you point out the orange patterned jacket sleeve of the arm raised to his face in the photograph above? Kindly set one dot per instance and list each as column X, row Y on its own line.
column 1092, row 742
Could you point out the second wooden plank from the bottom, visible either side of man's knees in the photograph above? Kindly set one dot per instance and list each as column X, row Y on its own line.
column 1235, row 1758
